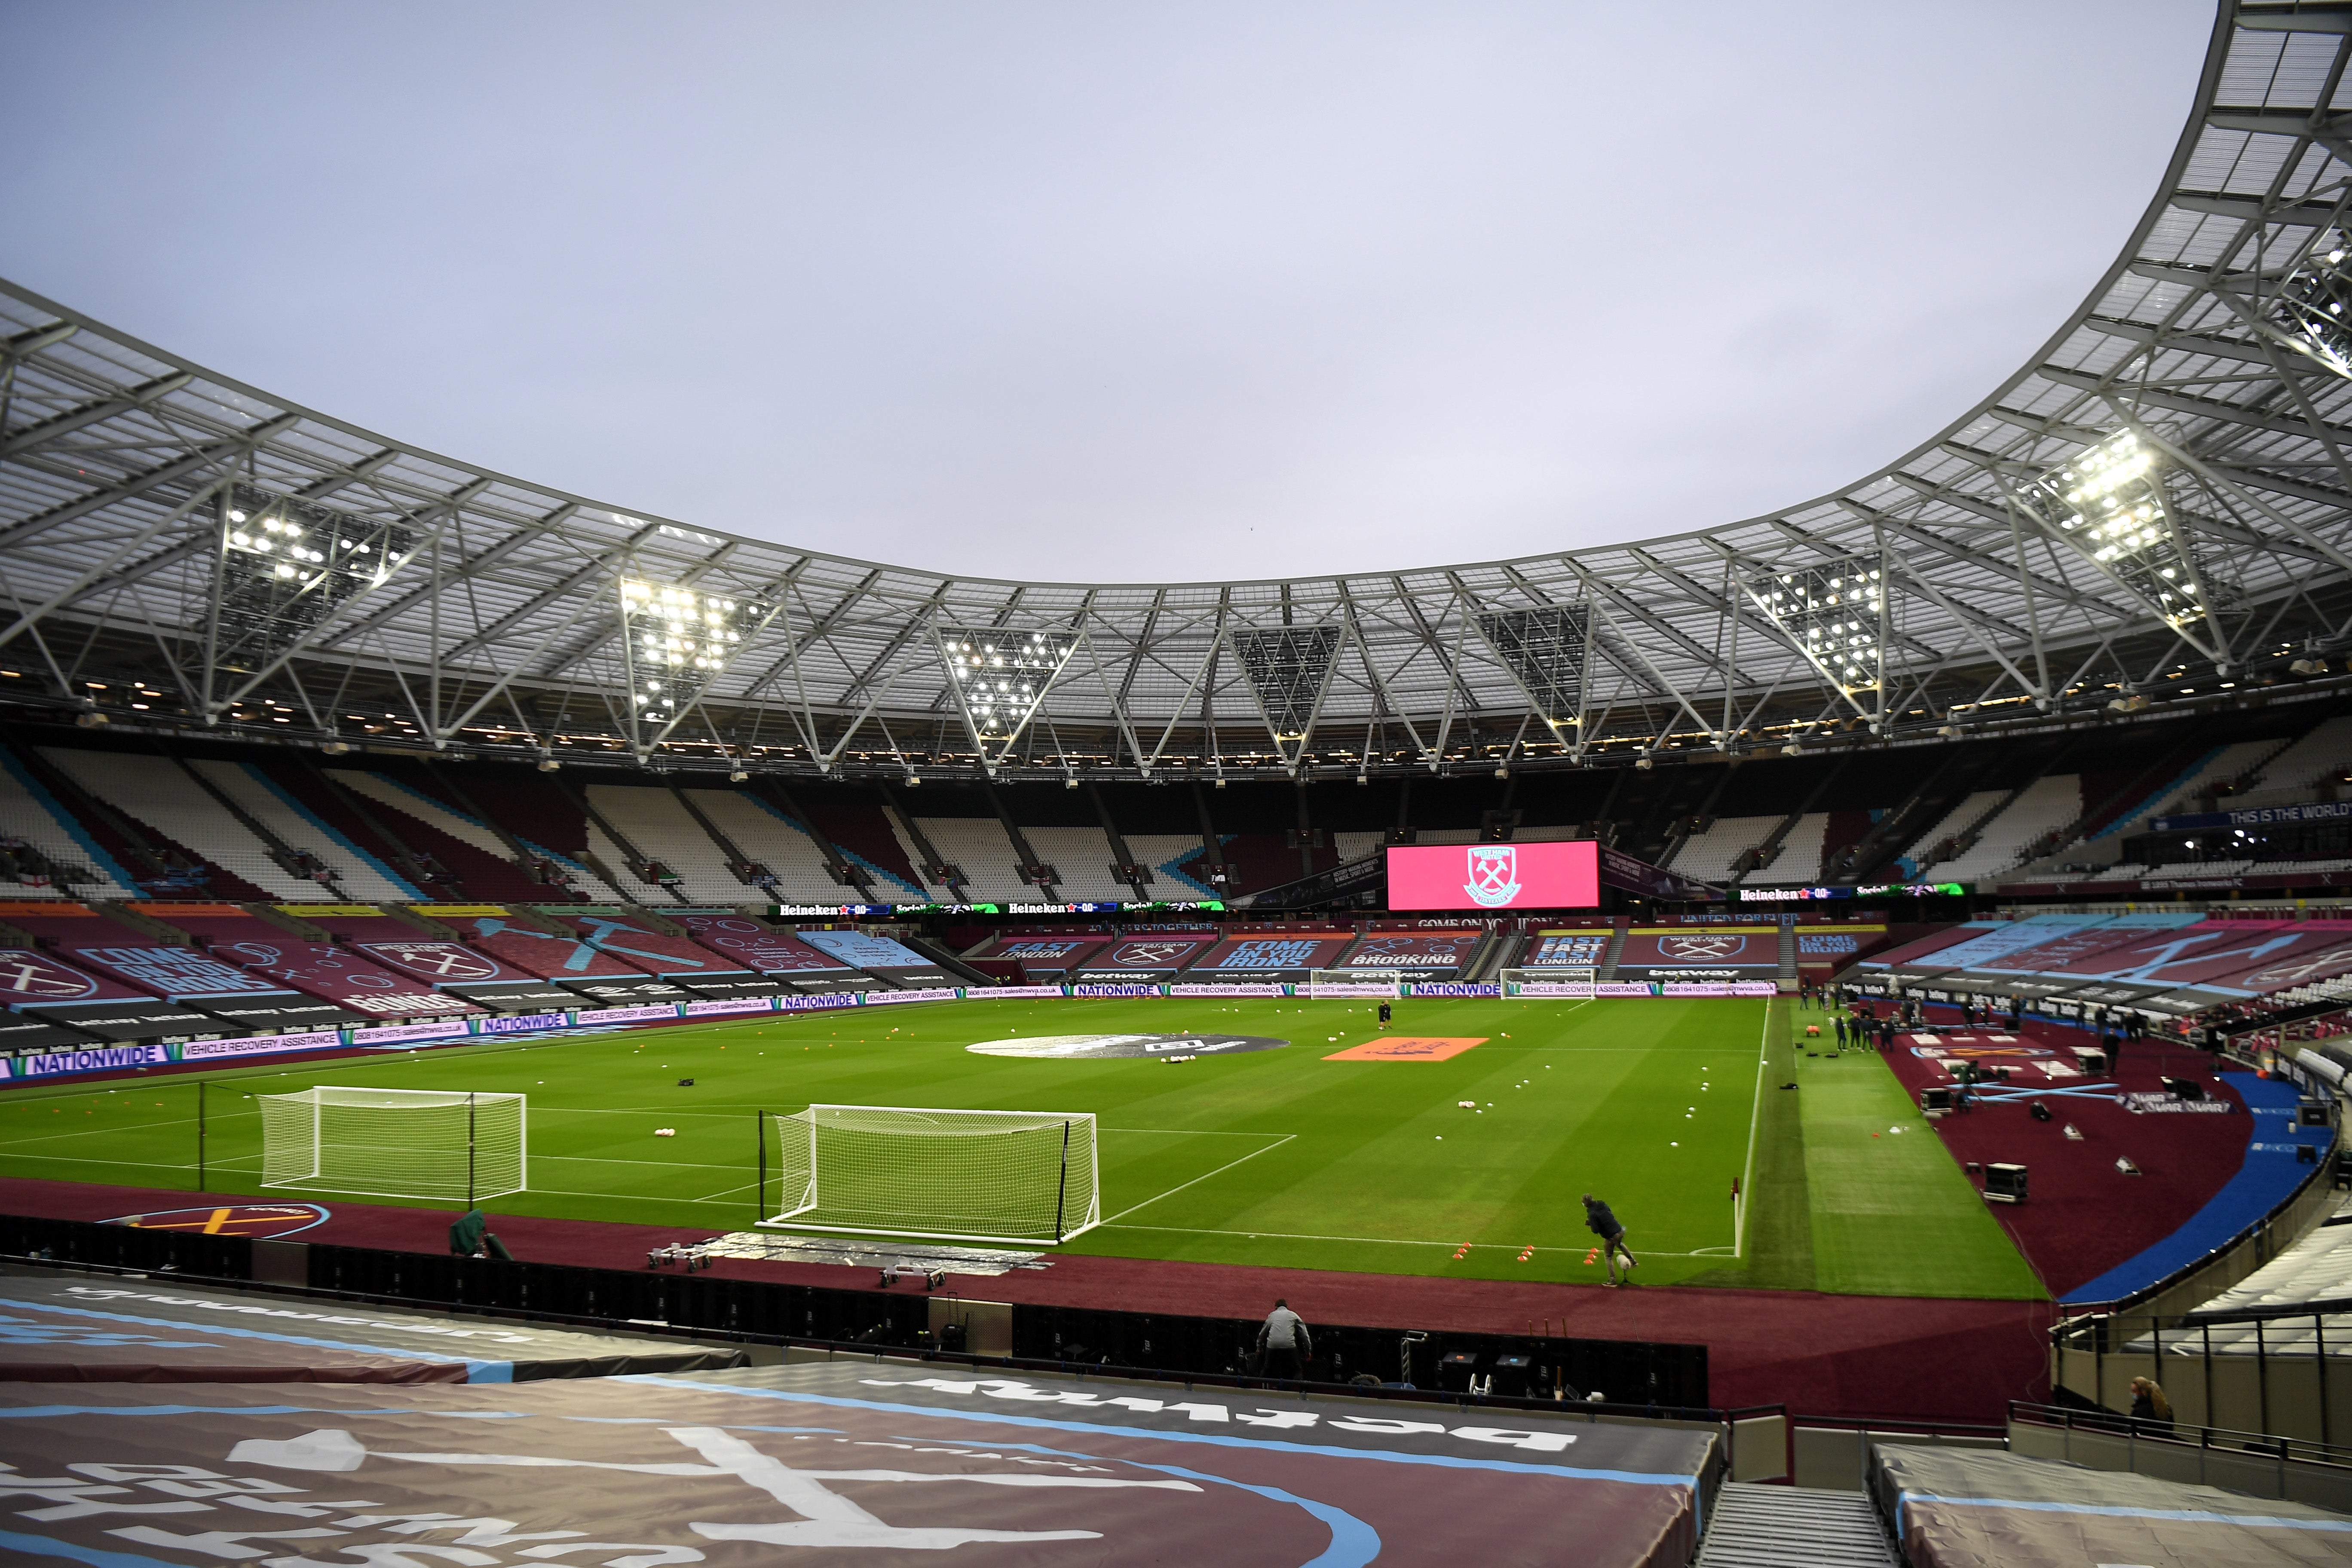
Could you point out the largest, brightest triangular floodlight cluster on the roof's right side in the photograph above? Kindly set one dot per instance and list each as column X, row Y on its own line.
column 2113, row 509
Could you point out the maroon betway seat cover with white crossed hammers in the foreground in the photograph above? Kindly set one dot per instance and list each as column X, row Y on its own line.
column 850, row 1461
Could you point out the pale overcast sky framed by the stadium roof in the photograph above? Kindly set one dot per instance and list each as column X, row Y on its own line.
column 1107, row 290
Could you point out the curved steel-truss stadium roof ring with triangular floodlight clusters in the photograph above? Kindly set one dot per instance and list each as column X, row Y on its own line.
column 2158, row 502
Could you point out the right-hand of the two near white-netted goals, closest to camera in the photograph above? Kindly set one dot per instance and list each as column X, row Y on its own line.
column 1008, row 1177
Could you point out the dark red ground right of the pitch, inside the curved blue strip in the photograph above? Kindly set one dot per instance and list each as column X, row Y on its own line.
column 2083, row 1217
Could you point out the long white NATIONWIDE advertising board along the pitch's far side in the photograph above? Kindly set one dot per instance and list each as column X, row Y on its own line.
column 171, row 1052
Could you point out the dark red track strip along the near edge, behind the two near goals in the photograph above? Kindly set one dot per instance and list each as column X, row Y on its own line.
column 1822, row 1355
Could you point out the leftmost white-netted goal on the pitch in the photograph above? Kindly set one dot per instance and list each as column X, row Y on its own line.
column 413, row 1144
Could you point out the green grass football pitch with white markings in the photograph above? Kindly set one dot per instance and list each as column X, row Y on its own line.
column 1274, row 1158
